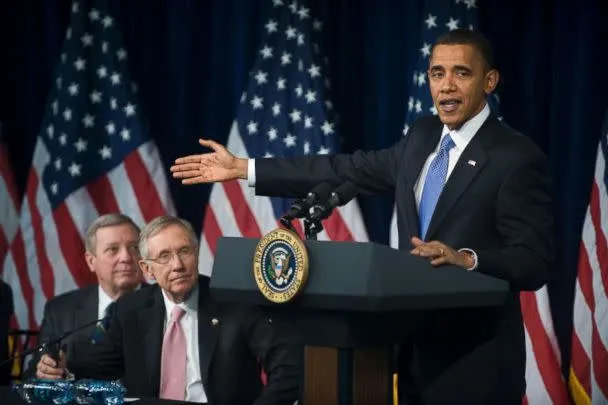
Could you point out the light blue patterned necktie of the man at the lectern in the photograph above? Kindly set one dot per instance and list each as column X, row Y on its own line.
column 433, row 184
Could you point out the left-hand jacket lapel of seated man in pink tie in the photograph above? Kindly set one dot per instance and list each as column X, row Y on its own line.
column 151, row 320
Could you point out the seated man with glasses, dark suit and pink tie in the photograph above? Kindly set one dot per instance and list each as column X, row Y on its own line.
column 173, row 341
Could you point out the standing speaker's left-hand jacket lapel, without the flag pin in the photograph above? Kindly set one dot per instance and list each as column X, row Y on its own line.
column 423, row 143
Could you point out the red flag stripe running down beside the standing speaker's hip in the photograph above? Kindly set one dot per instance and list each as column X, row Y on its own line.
column 546, row 359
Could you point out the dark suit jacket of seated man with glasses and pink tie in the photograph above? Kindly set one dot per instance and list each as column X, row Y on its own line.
column 228, row 351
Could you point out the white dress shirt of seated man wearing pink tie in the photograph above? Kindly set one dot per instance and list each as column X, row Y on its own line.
column 195, row 392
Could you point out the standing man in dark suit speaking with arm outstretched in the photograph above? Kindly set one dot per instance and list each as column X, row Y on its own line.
column 469, row 191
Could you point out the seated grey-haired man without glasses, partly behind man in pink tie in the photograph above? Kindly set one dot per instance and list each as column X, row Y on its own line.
column 112, row 253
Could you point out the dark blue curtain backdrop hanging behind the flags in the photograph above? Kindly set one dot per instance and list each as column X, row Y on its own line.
column 191, row 59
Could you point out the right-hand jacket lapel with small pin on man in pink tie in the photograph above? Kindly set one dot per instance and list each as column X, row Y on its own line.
column 209, row 324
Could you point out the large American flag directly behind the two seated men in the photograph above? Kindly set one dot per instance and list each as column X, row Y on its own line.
column 92, row 156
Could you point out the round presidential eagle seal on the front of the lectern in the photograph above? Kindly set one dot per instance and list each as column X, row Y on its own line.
column 280, row 265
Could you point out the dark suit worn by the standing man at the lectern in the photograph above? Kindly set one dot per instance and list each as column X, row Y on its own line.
column 497, row 202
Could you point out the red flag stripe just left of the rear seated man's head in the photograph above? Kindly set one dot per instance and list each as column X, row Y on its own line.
column 72, row 246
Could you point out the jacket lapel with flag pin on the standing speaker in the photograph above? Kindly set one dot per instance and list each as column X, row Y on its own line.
column 464, row 172
